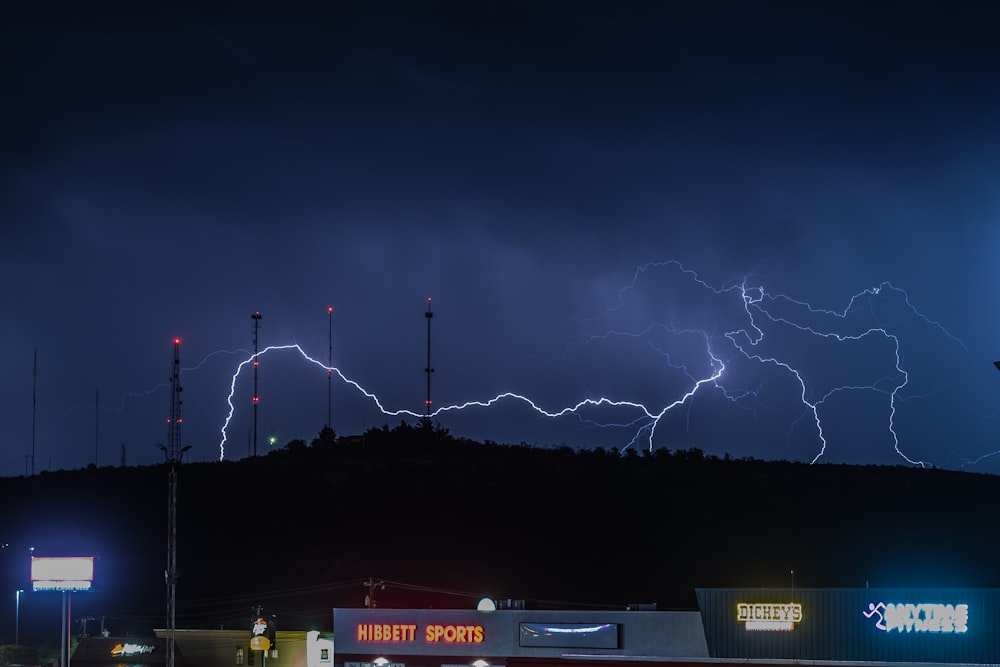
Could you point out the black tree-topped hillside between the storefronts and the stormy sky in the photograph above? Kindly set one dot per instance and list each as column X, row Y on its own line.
column 442, row 521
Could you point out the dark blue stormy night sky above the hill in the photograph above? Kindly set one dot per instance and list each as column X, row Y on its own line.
column 770, row 229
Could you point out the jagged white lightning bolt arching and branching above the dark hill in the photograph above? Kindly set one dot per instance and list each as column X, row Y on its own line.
column 758, row 310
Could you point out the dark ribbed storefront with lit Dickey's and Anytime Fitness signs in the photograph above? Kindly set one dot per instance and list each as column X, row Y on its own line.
column 904, row 626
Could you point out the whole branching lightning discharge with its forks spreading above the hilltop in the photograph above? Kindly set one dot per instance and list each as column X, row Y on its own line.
column 749, row 318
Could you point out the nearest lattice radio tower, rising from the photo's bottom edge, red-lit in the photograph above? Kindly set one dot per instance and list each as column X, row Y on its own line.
column 173, row 452
